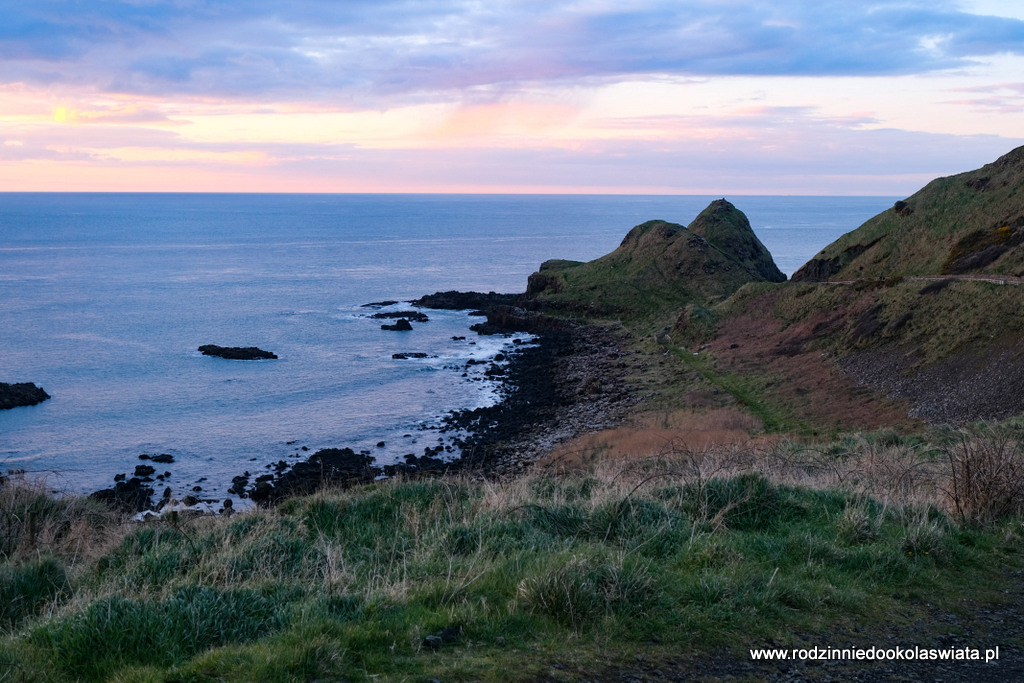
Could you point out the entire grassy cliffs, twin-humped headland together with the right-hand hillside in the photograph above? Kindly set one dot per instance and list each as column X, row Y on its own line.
column 911, row 319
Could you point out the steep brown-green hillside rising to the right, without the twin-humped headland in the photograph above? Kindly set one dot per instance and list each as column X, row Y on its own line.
column 913, row 317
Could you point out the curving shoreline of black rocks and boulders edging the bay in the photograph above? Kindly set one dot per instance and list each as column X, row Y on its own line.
column 570, row 379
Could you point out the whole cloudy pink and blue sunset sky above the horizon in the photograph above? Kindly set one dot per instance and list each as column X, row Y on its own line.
column 589, row 97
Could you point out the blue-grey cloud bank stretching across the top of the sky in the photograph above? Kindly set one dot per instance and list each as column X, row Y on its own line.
column 373, row 52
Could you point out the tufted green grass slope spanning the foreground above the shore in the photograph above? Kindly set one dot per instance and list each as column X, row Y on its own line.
column 574, row 570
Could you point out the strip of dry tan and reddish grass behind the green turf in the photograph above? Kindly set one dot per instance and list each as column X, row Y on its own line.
column 977, row 476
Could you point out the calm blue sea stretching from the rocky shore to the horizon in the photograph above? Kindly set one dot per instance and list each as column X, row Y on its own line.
column 105, row 300
